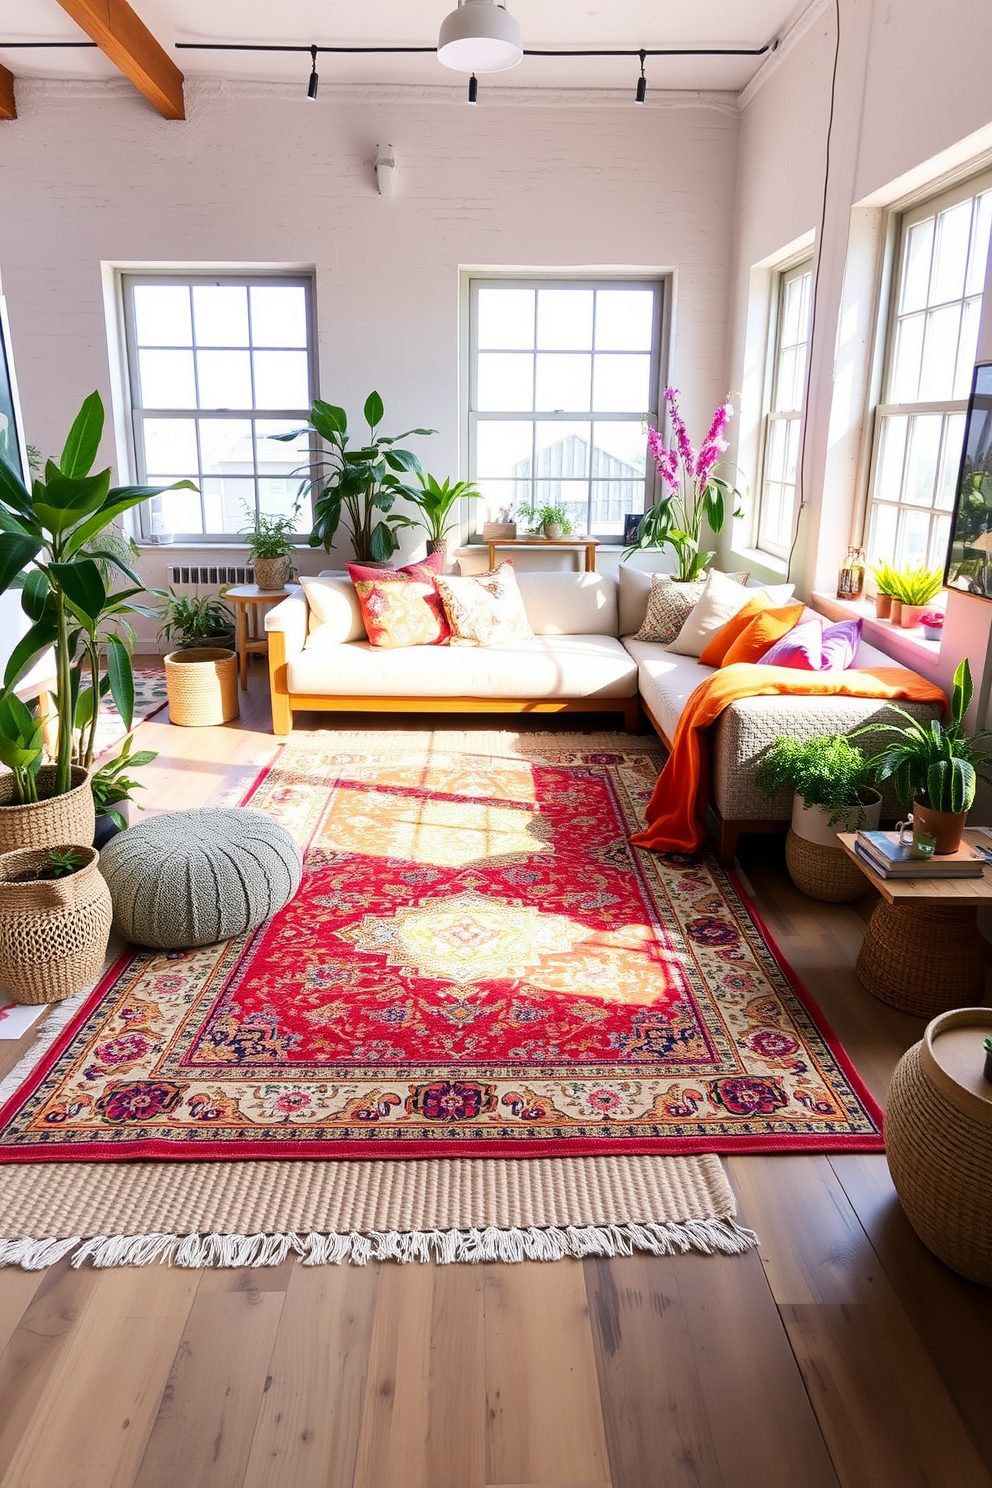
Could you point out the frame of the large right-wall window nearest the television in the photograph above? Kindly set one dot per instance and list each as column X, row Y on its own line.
column 953, row 410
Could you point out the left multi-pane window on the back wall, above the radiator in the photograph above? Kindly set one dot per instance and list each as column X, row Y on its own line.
column 218, row 364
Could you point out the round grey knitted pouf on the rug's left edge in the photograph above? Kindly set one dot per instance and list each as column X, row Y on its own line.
column 197, row 877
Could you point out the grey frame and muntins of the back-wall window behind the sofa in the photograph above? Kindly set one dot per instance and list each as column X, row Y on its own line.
column 663, row 289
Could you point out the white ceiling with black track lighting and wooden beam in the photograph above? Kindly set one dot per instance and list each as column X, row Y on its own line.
column 414, row 23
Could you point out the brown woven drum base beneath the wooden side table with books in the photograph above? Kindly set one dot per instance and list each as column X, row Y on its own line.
column 923, row 961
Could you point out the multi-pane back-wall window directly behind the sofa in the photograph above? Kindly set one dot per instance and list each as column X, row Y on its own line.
column 563, row 379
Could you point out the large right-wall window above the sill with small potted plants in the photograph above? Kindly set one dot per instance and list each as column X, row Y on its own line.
column 933, row 336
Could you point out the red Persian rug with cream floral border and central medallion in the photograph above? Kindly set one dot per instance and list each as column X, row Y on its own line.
column 477, row 965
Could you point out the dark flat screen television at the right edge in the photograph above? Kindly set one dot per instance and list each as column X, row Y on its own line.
column 970, row 553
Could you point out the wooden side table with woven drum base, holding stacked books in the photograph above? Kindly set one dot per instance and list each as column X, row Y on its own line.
column 923, row 952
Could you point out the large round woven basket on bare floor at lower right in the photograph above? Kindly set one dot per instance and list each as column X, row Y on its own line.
column 939, row 1142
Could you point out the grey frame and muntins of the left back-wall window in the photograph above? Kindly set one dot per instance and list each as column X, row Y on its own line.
column 139, row 413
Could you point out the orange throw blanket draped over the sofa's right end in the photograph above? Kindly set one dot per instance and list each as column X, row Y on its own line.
column 677, row 806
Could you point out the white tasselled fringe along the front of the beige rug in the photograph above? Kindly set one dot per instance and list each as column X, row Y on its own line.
column 444, row 1248
